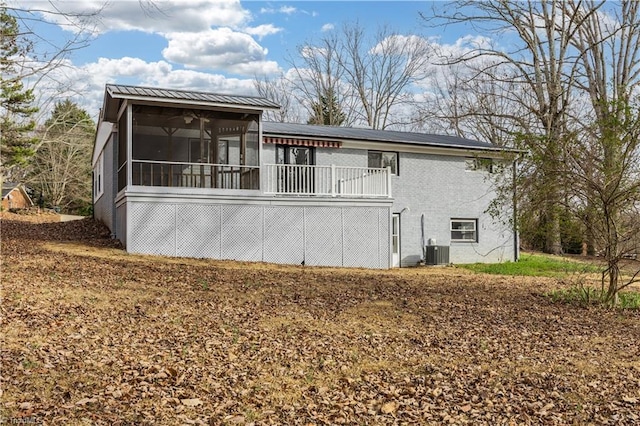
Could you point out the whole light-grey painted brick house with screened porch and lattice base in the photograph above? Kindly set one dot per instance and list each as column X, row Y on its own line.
column 192, row 174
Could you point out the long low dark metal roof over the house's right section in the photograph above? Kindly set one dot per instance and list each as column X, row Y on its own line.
column 370, row 135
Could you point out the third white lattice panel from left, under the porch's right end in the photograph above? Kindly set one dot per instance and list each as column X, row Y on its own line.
column 241, row 232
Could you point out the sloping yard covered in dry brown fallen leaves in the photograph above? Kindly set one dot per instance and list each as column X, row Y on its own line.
column 92, row 335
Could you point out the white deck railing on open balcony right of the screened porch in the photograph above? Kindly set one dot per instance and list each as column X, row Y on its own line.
column 334, row 181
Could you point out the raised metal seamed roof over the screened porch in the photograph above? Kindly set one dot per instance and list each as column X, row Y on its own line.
column 123, row 91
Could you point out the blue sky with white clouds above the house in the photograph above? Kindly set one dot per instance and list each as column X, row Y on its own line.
column 216, row 46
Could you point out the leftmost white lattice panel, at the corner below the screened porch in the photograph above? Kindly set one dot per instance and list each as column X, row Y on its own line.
column 152, row 228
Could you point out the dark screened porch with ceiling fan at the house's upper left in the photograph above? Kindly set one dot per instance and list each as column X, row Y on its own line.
column 188, row 148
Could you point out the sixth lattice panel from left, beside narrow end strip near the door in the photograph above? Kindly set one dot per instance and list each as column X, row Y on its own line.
column 360, row 237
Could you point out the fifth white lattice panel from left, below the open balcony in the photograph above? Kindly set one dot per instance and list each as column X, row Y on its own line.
column 323, row 236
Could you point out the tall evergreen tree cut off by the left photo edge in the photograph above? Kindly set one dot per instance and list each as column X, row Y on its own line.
column 16, row 103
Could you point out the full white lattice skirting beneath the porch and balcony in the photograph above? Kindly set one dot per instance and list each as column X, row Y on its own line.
column 316, row 235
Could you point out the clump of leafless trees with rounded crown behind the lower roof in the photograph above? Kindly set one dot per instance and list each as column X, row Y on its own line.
column 370, row 79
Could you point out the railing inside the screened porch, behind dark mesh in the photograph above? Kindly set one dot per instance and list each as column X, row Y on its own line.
column 194, row 175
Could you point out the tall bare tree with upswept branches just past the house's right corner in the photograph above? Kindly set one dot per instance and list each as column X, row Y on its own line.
column 544, row 64
